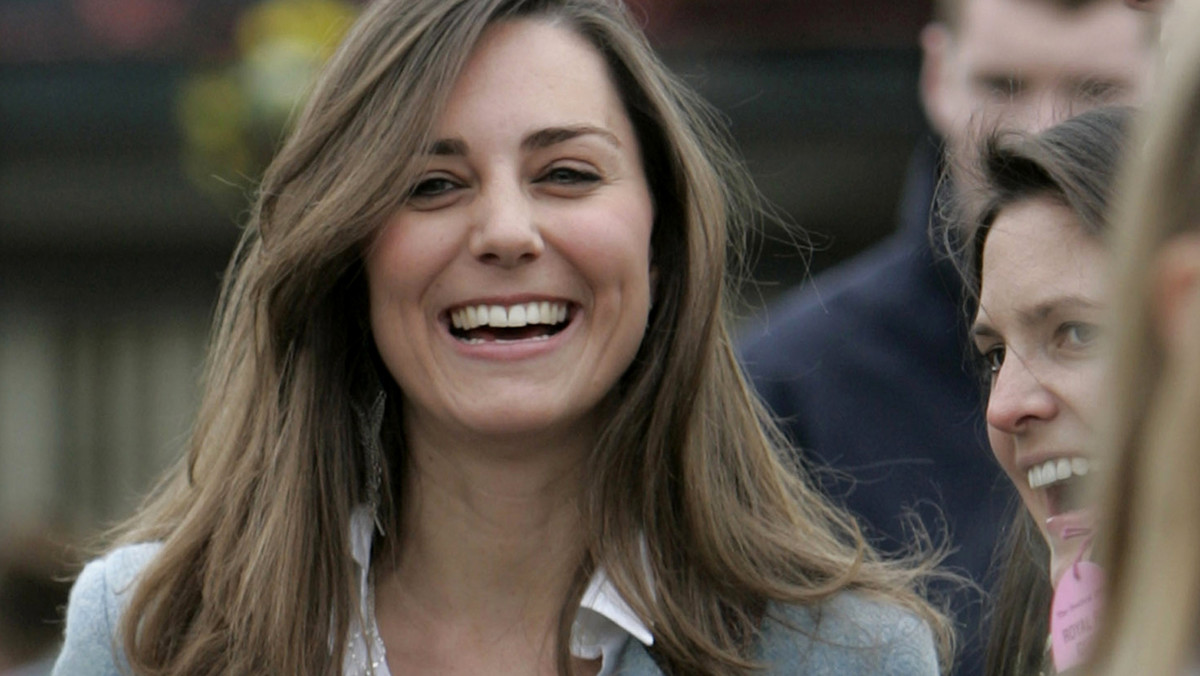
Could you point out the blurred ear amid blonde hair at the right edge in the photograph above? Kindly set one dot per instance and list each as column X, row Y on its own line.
column 1177, row 273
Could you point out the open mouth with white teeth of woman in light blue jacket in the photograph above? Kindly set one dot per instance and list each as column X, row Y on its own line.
column 509, row 324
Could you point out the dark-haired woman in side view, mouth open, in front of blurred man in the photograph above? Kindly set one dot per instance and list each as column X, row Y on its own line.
column 1031, row 248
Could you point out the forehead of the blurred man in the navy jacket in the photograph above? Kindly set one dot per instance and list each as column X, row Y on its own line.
column 1100, row 40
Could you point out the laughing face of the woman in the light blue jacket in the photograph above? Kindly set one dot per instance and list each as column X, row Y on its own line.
column 512, row 290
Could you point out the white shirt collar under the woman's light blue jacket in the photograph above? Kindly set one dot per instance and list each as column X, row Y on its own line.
column 602, row 626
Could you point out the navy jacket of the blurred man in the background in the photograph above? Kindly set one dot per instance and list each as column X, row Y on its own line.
column 868, row 369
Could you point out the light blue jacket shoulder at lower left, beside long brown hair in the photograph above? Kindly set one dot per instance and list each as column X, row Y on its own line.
column 98, row 599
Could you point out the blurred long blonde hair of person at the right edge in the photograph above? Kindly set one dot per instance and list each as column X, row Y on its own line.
column 1150, row 505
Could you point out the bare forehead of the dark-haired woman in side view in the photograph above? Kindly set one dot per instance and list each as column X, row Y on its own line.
column 1039, row 249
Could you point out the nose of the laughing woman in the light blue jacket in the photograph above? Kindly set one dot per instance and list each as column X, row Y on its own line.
column 506, row 231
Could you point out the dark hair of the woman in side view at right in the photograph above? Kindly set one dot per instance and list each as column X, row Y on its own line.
column 1073, row 163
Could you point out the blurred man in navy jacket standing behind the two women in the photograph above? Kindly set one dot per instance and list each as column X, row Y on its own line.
column 868, row 366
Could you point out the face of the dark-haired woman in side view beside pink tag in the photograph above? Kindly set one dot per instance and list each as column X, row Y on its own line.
column 1041, row 308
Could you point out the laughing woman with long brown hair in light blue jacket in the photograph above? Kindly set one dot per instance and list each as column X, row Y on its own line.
column 472, row 405
